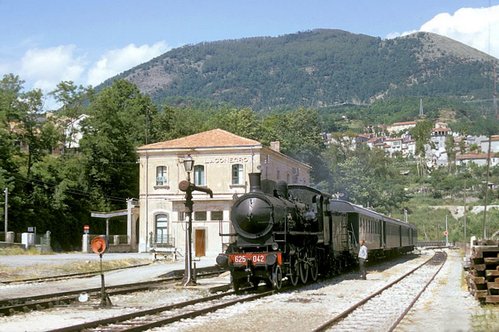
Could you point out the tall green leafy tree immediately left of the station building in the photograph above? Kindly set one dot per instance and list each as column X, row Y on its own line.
column 116, row 126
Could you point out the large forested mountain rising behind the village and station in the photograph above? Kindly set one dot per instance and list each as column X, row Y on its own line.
column 318, row 68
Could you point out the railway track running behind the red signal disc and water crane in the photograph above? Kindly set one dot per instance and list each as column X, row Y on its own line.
column 45, row 301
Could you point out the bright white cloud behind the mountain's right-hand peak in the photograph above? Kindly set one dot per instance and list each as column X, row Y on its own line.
column 475, row 27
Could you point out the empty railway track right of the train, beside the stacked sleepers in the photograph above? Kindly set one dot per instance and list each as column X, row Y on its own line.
column 405, row 291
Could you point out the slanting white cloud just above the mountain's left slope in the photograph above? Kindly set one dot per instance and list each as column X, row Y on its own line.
column 116, row 61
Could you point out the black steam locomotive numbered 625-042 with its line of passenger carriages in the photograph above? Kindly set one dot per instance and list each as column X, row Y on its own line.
column 296, row 233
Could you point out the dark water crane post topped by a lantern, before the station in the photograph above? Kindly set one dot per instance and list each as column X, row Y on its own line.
column 188, row 188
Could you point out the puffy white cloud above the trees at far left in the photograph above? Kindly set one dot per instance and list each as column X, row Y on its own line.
column 45, row 68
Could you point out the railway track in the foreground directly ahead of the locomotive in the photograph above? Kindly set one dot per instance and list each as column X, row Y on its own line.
column 161, row 316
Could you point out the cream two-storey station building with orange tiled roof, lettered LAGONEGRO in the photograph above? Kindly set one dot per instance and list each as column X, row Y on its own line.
column 222, row 162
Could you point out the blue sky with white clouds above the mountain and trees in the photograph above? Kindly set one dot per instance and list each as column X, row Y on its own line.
column 87, row 41
